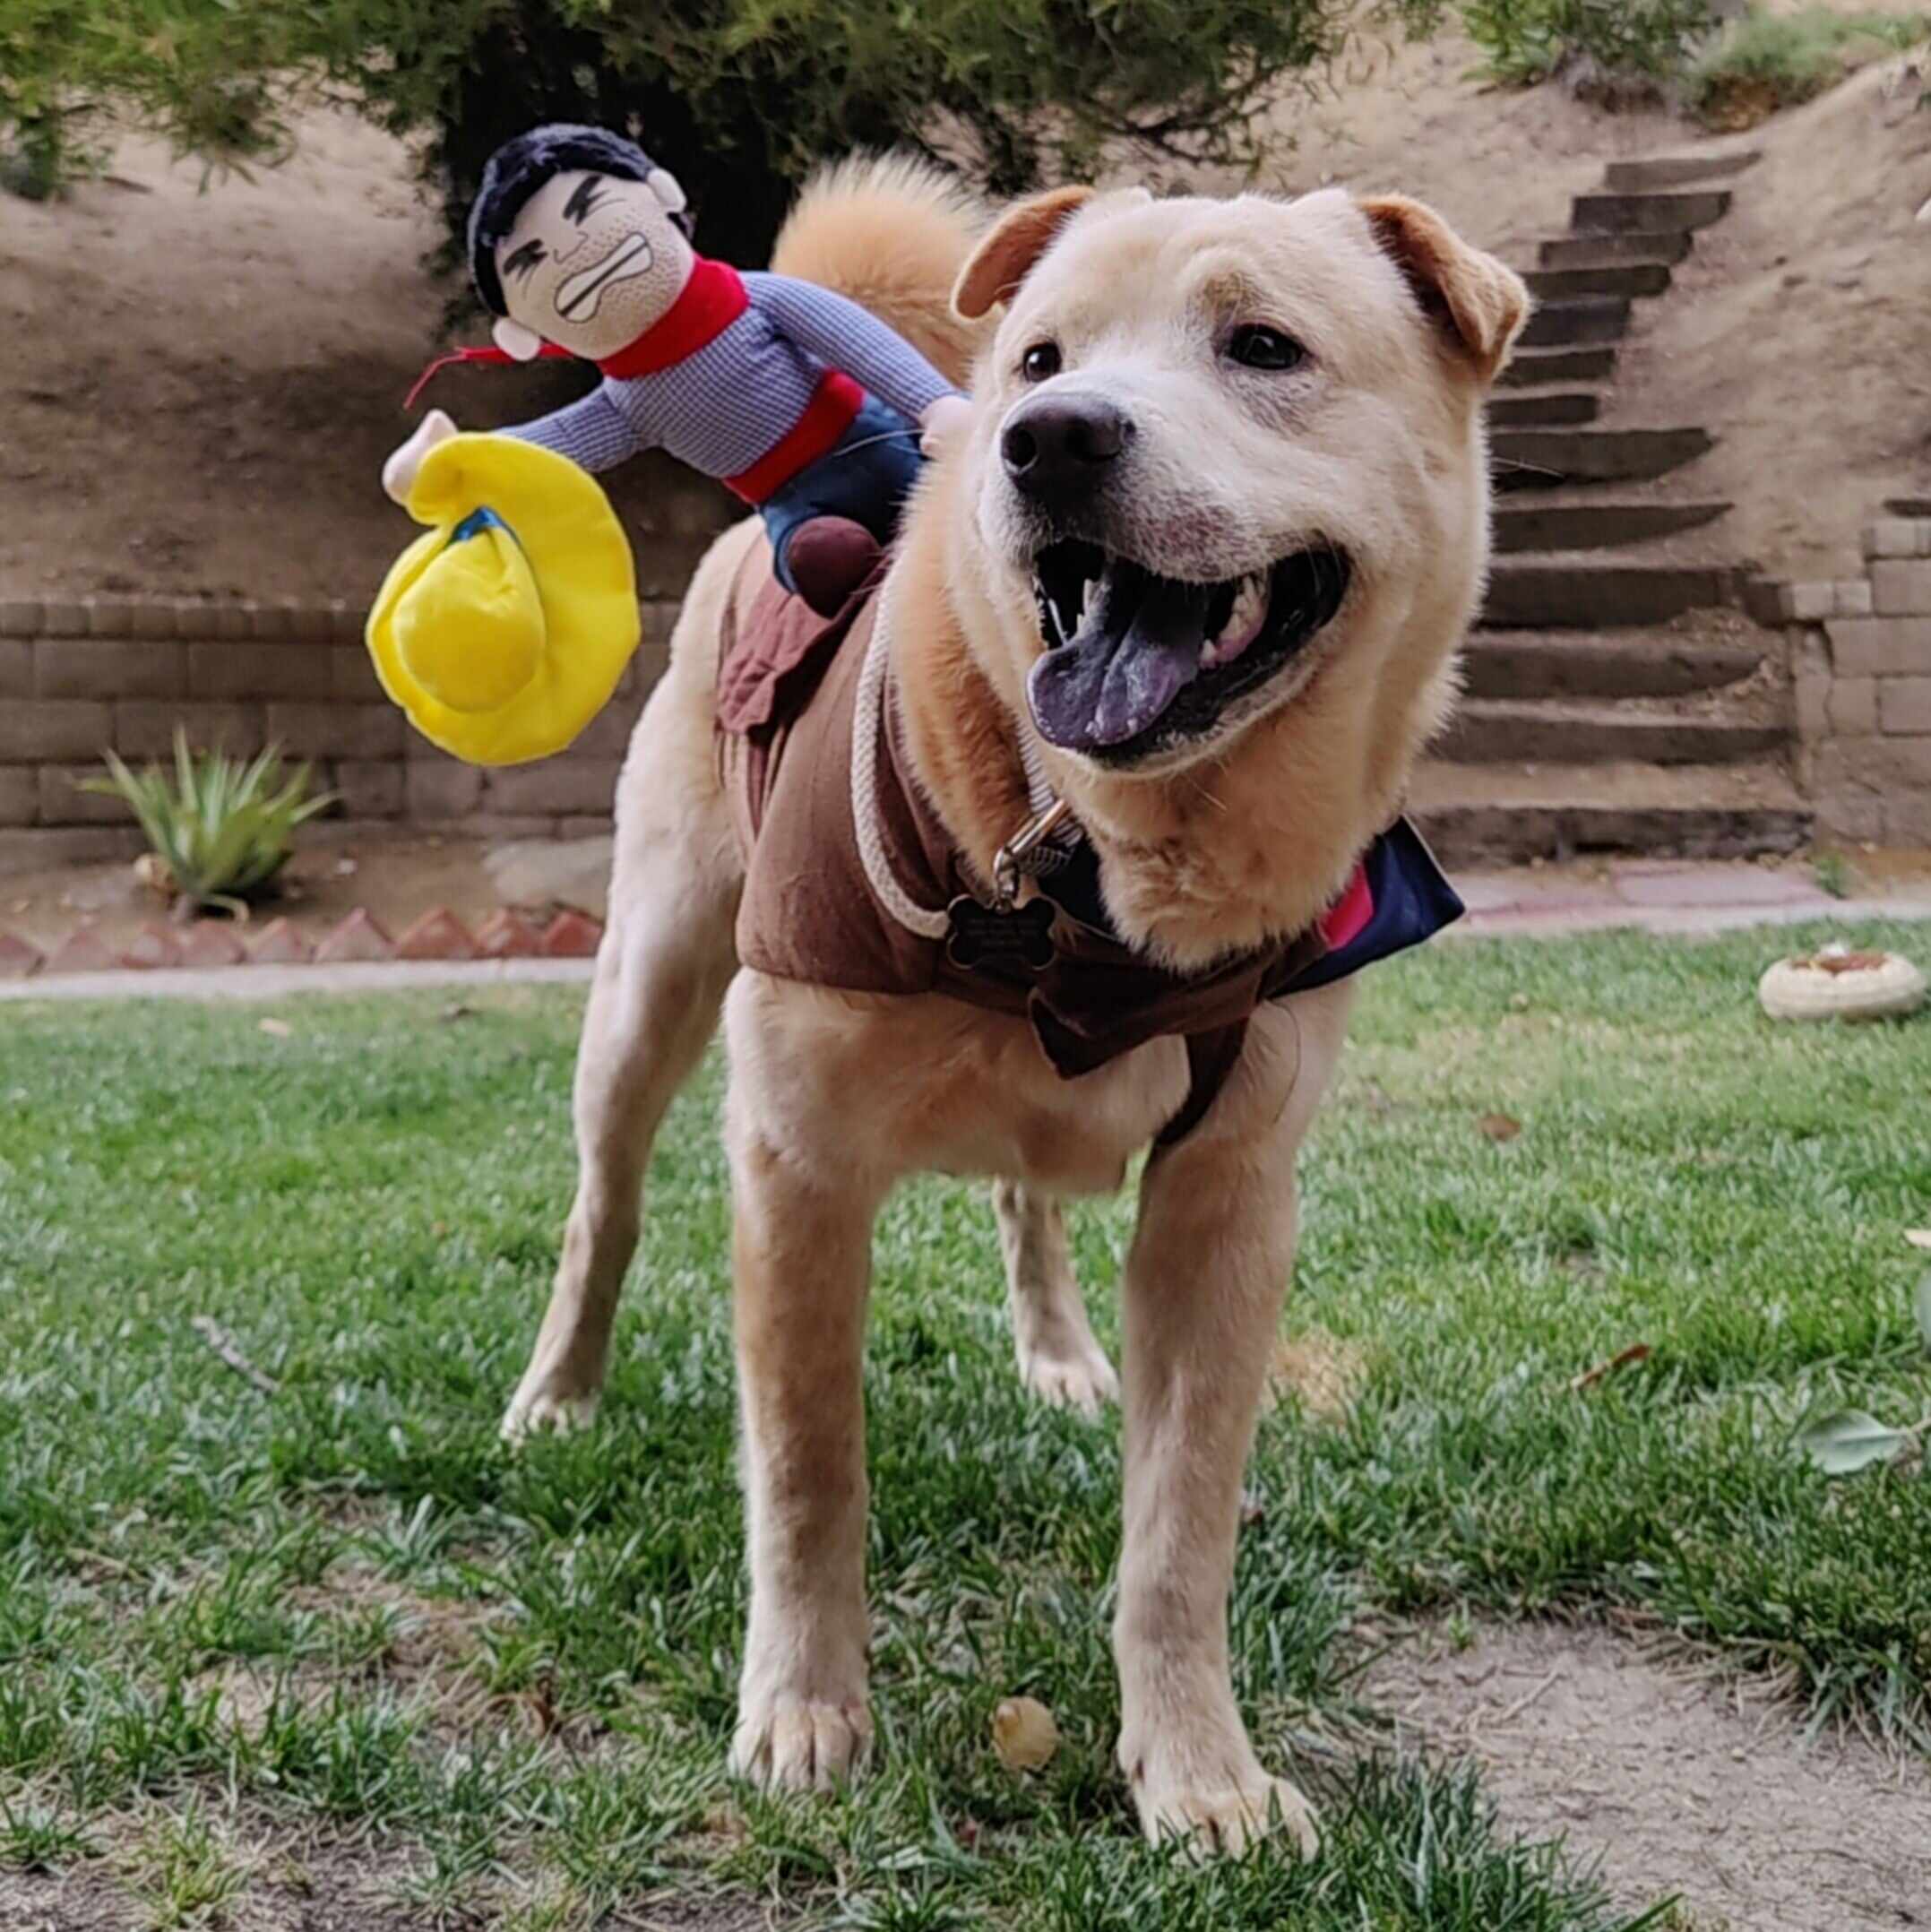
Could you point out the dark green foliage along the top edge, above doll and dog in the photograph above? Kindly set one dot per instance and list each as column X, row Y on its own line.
column 739, row 98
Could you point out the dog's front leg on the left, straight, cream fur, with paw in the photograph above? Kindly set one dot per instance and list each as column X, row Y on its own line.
column 802, row 1251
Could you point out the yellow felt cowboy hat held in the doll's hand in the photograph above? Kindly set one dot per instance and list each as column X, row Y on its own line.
column 505, row 629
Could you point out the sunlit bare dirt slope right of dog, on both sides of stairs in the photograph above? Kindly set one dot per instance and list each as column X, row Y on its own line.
column 1797, row 331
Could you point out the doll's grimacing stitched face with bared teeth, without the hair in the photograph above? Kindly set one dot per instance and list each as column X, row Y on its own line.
column 592, row 264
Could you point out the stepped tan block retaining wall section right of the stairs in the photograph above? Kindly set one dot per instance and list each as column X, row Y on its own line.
column 1862, row 662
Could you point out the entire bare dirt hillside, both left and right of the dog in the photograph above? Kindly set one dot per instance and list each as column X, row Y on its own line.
column 204, row 382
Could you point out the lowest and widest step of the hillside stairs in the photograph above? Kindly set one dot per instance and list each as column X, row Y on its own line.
column 1501, row 814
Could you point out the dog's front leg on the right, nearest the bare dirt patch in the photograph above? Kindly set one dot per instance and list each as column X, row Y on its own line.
column 1202, row 1301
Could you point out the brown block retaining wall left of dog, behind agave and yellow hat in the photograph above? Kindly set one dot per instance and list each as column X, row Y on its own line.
column 109, row 671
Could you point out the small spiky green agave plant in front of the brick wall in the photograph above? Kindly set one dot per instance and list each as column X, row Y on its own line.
column 221, row 828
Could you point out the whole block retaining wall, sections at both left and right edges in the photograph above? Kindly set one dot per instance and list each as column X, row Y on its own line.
column 84, row 675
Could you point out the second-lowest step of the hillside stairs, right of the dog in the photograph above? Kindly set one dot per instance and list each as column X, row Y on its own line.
column 1577, row 731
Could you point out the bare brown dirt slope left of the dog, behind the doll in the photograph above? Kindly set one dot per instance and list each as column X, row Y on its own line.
column 204, row 380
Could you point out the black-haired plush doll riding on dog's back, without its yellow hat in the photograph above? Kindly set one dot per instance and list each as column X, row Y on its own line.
column 800, row 401
